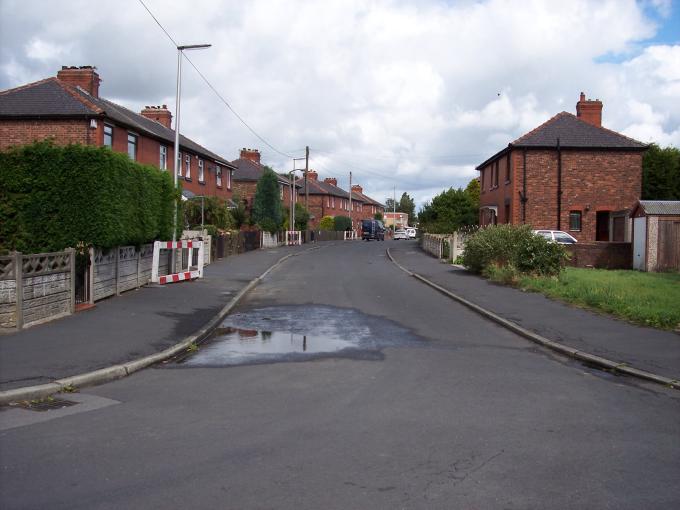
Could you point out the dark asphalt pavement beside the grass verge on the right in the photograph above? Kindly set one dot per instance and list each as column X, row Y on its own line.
column 641, row 347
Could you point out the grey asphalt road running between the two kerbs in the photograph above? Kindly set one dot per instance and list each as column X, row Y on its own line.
column 433, row 408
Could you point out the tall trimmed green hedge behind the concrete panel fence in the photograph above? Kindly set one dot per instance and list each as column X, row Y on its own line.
column 54, row 197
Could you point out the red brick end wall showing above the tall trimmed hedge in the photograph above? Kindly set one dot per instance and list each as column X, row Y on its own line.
column 64, row 132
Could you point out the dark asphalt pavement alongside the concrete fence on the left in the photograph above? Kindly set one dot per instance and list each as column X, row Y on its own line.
column 128, row 327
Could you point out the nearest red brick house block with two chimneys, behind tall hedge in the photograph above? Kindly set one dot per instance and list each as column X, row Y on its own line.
column 69, row 110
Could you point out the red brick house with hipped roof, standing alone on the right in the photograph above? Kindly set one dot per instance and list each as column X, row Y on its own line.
column 567, row 174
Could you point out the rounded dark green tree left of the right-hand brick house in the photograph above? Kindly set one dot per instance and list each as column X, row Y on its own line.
column 448, row 212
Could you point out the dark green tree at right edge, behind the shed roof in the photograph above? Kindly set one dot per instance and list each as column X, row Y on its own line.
column 661, row 173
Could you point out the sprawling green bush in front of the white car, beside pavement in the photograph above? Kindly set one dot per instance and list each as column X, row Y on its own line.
column 514, row 248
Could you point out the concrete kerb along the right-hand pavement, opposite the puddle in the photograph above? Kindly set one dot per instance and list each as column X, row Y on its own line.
column 593, row 359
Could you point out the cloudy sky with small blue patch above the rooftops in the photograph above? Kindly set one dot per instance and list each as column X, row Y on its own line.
column 412, row 94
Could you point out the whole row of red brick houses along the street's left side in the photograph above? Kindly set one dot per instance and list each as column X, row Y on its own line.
column 68, row 109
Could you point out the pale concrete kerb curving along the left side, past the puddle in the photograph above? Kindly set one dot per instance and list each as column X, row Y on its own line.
column 123, row 370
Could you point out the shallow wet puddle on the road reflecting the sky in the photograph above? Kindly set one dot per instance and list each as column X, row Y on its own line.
column 285, row 334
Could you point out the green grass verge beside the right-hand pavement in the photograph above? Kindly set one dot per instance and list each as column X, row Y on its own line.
column 650, row 299
